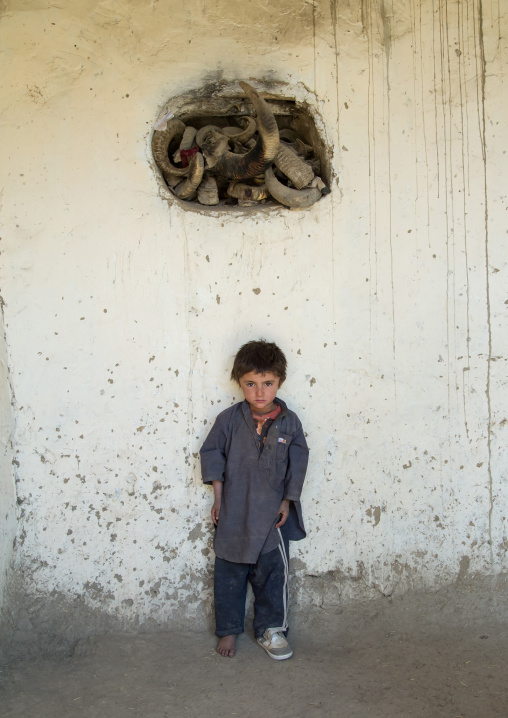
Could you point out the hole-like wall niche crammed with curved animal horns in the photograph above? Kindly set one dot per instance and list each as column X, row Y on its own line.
column 237, row 145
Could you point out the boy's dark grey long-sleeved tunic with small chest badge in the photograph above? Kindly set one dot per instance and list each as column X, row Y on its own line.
column 255, row 482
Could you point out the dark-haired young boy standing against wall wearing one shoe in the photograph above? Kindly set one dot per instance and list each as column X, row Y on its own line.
column 256, row 458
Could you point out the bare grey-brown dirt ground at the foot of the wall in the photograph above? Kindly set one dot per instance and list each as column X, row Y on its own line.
column 443, row 655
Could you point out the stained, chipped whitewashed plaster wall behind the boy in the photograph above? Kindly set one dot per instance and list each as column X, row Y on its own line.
column 123, row 312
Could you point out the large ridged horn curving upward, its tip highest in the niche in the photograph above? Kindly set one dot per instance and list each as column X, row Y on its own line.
column 264, row 151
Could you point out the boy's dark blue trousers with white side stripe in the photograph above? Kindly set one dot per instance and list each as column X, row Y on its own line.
column 269, row 580
